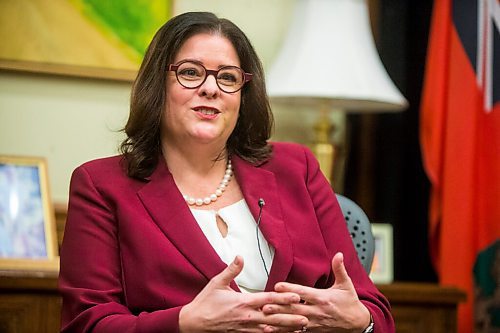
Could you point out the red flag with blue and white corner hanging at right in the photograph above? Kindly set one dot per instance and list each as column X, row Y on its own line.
column 460, row 139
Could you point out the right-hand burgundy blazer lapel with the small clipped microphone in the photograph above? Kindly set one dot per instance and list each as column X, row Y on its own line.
column 257, row 183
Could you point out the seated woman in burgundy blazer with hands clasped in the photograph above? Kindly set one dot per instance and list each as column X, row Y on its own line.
column 202, row 225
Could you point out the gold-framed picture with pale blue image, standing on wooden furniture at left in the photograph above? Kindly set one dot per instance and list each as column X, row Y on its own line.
column 27, row 222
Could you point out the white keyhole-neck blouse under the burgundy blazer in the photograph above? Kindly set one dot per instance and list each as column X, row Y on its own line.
column 241, row 239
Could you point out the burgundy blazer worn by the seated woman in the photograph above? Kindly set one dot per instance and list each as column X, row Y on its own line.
column 133, row 253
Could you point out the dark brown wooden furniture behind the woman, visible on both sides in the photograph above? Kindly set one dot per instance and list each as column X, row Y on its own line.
column 29, row 302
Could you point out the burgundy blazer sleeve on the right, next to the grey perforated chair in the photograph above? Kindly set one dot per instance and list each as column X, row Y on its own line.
column 337, row 239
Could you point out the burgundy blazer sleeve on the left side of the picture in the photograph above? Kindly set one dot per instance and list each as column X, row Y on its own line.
column 90, row 277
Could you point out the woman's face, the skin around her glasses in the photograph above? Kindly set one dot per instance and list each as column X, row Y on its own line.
column 204, row 115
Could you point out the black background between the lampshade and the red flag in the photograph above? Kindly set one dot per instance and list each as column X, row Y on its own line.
column 385, row 174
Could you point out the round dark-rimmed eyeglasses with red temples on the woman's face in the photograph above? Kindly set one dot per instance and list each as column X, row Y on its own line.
column 192, row 75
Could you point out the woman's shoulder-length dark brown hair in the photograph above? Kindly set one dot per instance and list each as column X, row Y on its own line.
column 142, row 147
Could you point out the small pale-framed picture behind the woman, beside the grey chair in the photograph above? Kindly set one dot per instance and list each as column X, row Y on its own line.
column 382, row 268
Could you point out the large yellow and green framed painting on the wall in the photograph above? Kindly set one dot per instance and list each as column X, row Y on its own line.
column 86, row 38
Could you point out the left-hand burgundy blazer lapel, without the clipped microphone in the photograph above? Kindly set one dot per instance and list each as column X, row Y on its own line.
column 165, row 204
